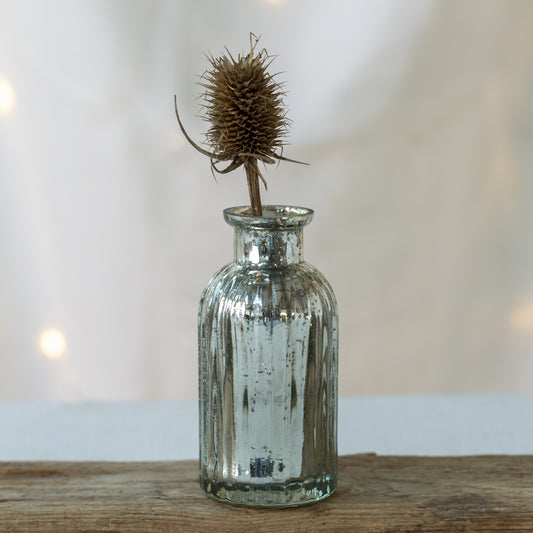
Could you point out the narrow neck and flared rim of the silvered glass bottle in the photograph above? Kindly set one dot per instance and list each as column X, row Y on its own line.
column 275, row 239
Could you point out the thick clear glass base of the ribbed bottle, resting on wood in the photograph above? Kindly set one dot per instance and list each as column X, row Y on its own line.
column 290, row 494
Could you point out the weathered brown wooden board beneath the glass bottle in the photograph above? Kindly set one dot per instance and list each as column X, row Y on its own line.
column 375, row 494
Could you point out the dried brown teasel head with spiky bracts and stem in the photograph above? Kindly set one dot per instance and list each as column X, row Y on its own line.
column 244, row 105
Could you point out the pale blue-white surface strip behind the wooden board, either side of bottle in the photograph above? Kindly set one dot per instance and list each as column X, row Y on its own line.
column 167, row 430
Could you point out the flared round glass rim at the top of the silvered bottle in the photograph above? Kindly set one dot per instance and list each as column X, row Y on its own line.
column 274, row 217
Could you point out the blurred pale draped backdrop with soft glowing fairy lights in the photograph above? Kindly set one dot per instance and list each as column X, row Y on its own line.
column 416, row 117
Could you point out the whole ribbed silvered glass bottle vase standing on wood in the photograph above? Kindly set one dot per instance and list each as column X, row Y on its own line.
column 268, row 344
